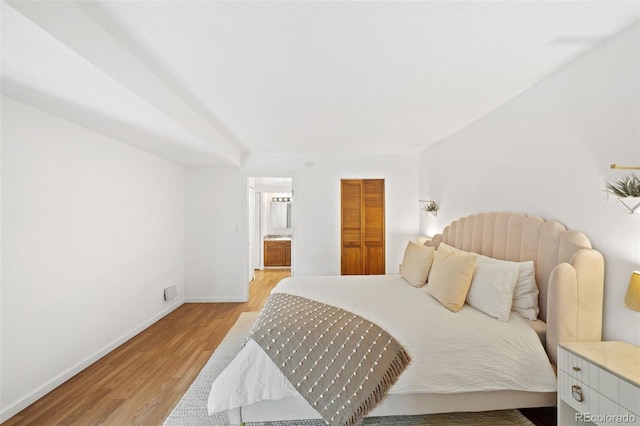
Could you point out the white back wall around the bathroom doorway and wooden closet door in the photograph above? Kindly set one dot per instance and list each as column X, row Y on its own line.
column 215, row 254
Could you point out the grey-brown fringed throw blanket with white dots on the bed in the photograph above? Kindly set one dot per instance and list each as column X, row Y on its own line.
column 340, row 363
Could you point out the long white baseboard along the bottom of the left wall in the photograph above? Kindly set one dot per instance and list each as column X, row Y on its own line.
column 22, row 403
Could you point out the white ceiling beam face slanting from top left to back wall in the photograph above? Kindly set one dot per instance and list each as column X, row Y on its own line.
column 67, row 22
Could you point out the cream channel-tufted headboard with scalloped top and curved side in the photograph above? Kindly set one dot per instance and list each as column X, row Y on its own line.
column 569, row 273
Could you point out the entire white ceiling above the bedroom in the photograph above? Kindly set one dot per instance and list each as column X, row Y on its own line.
column 208, row 82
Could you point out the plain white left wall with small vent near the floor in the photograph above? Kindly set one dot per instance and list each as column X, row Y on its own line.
column 92, row 231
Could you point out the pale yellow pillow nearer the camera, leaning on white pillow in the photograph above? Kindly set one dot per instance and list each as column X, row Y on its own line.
column 450, row 278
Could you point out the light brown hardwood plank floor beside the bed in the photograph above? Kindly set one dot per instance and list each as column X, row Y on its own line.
column 140, row 382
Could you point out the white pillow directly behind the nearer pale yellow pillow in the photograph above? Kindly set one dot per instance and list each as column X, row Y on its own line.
column 492, row 287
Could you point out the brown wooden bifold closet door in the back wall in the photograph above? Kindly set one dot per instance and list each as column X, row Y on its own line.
column 362, row 227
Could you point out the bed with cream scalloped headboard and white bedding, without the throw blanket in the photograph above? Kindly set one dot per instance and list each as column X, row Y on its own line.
column 464, row 368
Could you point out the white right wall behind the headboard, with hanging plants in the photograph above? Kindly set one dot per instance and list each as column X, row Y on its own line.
column 547, row 152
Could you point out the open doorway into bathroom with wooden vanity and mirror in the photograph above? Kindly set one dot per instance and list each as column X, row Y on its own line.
column 270, row 224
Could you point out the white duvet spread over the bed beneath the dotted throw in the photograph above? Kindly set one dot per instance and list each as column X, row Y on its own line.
column 450, row 352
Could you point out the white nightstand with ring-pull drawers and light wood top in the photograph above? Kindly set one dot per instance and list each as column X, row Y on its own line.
column 598, row 383
